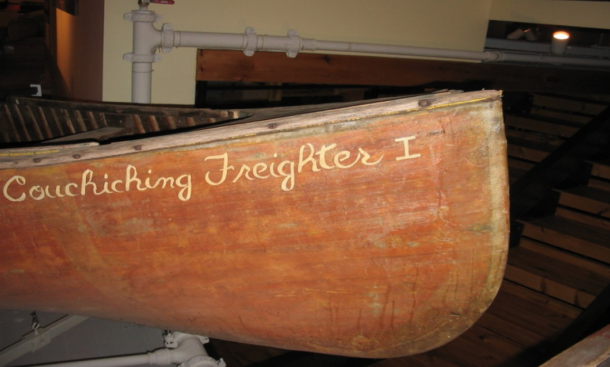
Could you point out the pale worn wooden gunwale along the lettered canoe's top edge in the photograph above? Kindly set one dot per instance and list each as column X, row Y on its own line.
column 27, row 157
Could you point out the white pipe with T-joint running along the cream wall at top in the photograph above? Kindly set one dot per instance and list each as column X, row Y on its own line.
column 147, row 39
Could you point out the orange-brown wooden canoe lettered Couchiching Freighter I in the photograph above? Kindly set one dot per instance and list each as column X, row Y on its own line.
column 375, row 230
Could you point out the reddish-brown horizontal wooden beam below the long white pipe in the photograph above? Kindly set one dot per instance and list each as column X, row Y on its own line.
column 360, row 70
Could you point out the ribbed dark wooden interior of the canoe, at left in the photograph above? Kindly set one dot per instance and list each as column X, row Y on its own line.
column 25, row 120
